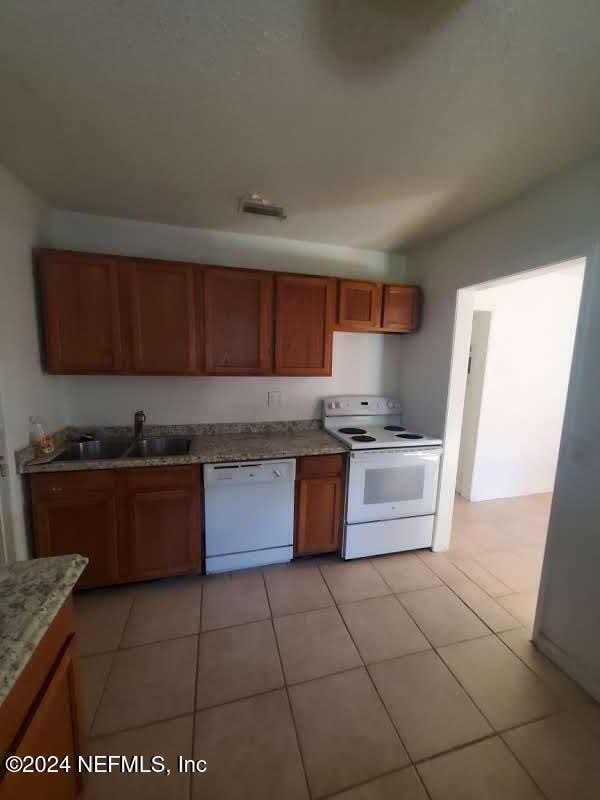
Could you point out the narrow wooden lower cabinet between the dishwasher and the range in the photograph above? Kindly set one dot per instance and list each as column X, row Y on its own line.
column 319, row 505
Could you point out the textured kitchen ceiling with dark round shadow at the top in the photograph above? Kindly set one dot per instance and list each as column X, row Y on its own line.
column 377, row 123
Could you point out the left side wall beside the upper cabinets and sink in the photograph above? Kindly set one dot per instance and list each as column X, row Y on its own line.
column 25, row 389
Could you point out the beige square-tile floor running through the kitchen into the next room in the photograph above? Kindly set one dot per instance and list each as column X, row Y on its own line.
column 403, row 677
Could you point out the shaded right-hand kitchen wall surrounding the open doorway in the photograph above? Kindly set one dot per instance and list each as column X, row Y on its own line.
column 554, row 221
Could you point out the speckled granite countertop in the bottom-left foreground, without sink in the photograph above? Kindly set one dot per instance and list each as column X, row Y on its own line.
column 31, row 595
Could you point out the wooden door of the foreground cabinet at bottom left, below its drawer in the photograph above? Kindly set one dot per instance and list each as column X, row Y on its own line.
column 52, row 730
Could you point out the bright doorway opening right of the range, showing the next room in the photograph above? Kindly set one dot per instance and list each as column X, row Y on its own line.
column 512, row 353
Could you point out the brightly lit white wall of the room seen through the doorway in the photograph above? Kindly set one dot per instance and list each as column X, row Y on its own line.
column 525, row 386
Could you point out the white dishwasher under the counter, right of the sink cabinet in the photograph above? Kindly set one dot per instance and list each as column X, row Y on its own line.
column 249, row 514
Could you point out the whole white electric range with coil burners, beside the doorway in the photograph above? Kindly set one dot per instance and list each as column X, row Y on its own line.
column 392, row 481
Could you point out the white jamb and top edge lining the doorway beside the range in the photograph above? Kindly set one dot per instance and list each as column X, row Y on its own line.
column 465, row 306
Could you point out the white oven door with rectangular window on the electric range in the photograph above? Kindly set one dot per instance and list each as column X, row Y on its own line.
column 390, row 484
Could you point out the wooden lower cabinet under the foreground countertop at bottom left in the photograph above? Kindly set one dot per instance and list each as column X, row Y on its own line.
column 41, row 717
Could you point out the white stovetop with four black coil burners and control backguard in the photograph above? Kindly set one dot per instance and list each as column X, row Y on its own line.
column 367, row 422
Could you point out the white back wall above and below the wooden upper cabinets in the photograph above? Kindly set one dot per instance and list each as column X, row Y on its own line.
column 363, row 363
